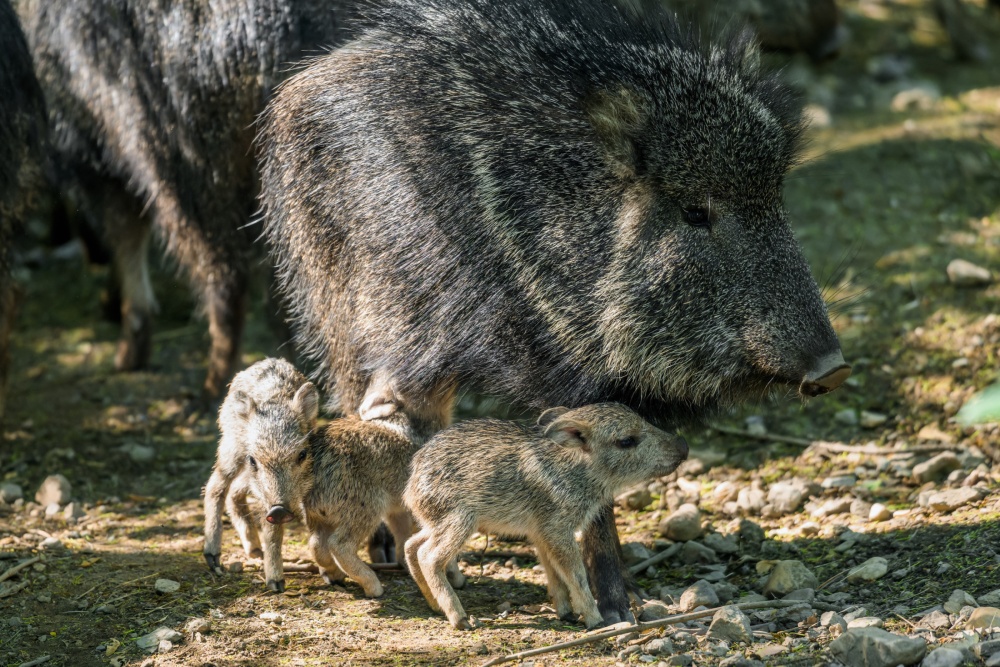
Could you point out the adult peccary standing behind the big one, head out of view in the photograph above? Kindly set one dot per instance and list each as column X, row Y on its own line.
column 152, row 107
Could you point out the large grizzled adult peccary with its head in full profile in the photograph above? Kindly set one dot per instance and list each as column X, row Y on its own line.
column 549, row 201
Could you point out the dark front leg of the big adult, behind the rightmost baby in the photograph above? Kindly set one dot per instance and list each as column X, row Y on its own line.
column 602, row 554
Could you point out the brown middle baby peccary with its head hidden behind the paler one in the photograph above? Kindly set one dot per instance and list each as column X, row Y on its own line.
column 360, row 469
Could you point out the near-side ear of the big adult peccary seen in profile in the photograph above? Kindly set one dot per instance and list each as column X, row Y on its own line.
column 618, row 116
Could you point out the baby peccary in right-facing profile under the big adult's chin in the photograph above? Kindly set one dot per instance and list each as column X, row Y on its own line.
column 545, row 482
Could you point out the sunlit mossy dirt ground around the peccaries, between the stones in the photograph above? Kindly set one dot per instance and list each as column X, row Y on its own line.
column 886, row 199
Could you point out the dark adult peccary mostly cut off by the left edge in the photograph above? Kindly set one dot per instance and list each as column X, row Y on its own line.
column 22, row 133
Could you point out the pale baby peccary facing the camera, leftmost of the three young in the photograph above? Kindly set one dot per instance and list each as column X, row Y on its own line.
column 264, row 452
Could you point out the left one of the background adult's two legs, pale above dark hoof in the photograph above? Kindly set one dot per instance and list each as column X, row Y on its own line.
column 130, row 244
